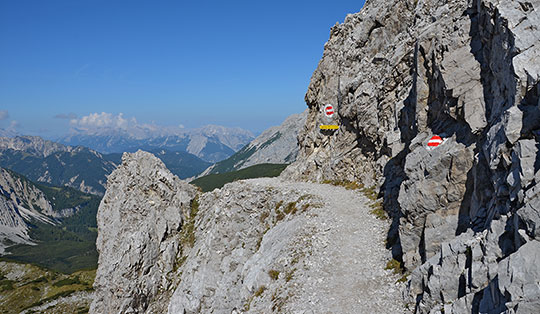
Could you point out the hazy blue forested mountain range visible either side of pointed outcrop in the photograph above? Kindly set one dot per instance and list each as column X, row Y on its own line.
column 78, row 167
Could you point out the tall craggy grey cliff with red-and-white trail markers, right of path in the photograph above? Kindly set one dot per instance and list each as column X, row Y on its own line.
column 464, row 214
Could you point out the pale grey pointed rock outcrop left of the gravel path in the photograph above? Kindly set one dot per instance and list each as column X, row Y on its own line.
column 139, row 221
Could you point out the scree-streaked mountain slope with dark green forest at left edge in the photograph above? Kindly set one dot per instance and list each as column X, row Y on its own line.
column 50, row 226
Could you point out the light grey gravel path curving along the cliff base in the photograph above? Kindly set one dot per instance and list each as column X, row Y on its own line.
column 344, row 267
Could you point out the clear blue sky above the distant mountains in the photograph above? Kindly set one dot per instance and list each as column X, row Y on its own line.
column 232, row 63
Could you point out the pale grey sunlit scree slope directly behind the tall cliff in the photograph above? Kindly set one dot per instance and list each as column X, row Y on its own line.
column 277, row 145
